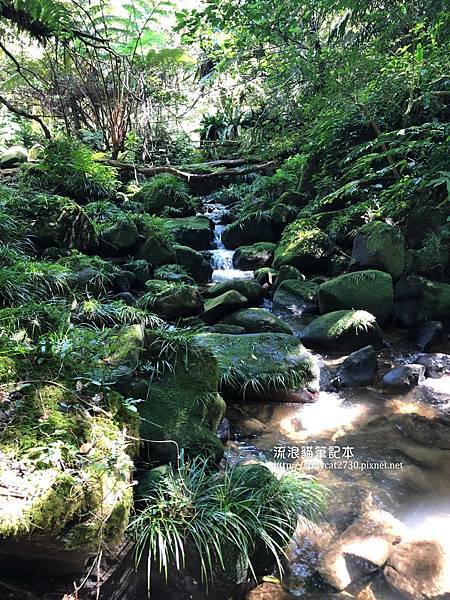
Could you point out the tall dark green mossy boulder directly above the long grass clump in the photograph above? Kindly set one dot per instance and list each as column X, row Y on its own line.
column 184, row 407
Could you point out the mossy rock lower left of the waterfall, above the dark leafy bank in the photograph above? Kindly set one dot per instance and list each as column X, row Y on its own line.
column 170, row 300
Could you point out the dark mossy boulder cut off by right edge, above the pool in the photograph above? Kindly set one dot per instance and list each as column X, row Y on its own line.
column 418, row 300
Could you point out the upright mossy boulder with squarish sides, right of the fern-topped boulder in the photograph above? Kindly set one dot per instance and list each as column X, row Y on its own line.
column 380, row 246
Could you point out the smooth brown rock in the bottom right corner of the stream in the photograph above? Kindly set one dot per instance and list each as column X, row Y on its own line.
column 420, row 569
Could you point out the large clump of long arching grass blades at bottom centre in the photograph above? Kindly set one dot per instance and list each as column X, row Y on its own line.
column 222, row 518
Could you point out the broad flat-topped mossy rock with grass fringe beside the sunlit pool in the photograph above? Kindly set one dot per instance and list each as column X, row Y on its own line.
column 259, row 365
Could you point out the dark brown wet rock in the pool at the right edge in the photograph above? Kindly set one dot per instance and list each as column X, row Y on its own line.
column 428, row 432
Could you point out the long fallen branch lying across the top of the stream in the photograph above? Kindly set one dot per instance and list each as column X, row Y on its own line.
column 151, row 171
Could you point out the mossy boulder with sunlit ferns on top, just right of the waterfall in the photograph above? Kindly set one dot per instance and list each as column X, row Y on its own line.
column 303, row 246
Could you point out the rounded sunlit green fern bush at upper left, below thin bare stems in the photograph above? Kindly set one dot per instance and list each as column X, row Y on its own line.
column 72, row 169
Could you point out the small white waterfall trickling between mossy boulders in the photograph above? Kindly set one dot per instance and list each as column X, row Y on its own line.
column 221, row 257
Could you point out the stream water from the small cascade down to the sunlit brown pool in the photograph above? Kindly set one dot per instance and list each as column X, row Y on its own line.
column 381, row 460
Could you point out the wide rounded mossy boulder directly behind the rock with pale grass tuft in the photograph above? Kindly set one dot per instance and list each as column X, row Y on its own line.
column 366, row 290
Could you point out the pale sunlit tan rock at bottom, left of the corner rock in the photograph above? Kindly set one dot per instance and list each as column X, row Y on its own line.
column 370, row 538
